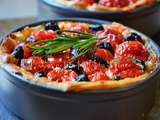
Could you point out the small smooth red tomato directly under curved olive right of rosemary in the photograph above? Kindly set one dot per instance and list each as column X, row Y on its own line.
column 105, row 54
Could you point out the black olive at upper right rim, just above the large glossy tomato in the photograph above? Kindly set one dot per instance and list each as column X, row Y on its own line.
column 133, row 37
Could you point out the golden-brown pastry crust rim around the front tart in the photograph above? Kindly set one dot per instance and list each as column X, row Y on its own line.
column 9, row 62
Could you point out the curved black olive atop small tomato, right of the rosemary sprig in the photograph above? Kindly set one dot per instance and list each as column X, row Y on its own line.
column 106, row 45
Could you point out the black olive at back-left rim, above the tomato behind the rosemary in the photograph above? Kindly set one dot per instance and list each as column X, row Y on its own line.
column 52, row 26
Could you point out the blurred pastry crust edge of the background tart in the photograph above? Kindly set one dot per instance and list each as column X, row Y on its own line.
column 98, row 7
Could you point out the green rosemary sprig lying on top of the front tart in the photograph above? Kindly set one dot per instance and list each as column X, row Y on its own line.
column 84, row 42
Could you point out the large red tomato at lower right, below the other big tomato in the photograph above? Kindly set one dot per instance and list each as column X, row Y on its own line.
column 126, row 68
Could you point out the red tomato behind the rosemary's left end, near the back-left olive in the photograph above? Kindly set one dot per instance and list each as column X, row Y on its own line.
column 44, row 34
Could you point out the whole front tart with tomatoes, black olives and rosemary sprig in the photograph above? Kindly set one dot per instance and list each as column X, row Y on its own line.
column 75, row 56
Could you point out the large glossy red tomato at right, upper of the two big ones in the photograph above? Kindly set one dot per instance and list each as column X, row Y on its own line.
column 132, row 50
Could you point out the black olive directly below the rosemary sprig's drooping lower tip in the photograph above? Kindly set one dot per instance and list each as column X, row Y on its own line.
column 77, row 68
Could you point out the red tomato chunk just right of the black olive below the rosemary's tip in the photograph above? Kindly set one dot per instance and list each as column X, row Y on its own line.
column 91, row 67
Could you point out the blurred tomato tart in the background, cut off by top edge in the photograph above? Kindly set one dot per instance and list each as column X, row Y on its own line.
column 111, row 5
